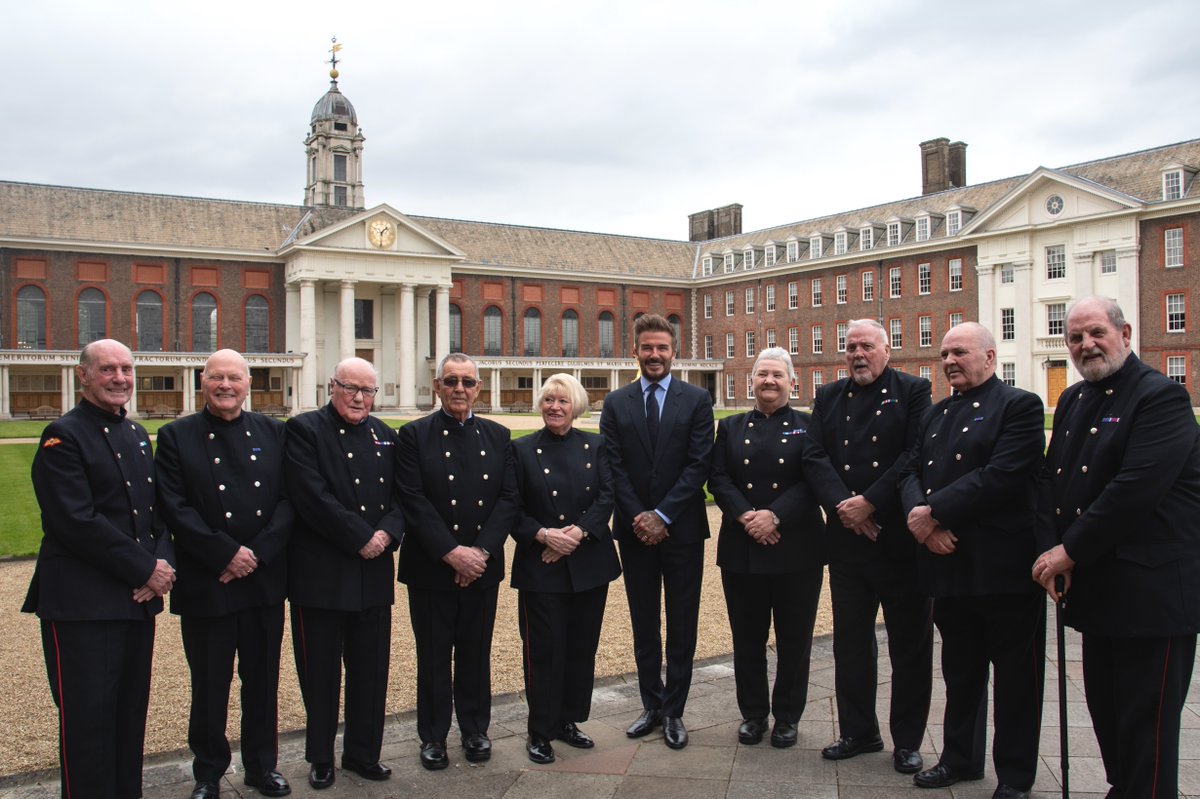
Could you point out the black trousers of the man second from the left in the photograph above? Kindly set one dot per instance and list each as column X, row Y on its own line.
column 255, row 635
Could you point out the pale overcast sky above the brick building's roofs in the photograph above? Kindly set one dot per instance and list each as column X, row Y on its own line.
column 615, row 116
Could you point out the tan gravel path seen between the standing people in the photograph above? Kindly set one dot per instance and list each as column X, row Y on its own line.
column 28, row 719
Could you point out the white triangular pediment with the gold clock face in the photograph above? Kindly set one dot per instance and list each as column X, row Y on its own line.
column 381, row 230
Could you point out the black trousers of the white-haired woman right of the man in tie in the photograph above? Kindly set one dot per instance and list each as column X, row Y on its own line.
column 753, row 600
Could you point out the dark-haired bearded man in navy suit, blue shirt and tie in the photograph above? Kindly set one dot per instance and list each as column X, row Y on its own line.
column 658, row 435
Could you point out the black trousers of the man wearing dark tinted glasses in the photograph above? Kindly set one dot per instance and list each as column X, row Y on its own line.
column 453, row 626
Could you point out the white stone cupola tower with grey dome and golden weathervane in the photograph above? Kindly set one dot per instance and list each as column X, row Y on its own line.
column 334, row 149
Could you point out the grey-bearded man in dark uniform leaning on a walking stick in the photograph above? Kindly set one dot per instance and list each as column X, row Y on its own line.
column 1120, row 519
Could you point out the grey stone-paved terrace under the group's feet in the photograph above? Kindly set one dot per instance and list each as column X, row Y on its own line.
column 713, row 766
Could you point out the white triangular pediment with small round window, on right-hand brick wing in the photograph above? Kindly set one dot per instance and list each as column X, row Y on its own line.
column 1049, row 197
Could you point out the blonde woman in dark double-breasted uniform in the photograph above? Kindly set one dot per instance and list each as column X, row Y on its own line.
column 563, row 564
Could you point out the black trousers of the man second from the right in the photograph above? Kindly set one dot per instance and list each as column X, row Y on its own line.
column 1009, row 633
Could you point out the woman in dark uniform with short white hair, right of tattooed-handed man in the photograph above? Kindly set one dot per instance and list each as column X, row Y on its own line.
column 771, row 550
